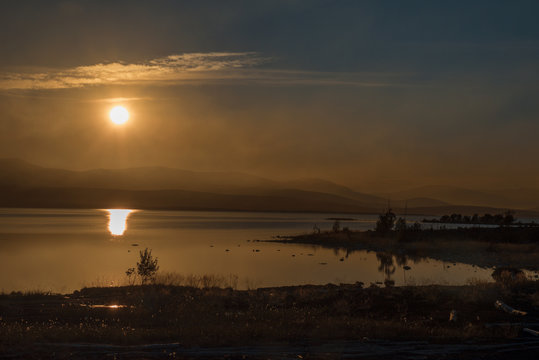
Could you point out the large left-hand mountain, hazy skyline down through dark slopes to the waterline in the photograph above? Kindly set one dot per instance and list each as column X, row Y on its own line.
column 26, row 185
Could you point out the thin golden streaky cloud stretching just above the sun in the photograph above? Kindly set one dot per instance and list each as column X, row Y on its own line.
column 189, row 68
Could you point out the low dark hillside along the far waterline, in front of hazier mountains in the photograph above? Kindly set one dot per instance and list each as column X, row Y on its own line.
column 174, row 200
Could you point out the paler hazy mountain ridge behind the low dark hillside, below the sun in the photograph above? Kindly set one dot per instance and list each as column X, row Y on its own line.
column 21, row 173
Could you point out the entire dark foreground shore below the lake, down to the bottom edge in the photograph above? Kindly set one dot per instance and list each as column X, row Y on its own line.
column 307, row 321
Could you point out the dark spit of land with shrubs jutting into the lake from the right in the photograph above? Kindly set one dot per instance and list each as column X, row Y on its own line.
column 484, row 247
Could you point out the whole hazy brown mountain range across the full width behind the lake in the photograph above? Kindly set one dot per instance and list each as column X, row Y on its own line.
column 26, row 185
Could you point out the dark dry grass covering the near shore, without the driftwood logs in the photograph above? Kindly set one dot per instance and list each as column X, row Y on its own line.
column 206, row 315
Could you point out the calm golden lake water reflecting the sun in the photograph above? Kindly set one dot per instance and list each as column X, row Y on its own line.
column 64, row 250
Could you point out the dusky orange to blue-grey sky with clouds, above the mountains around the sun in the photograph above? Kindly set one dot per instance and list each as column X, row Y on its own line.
column 376, row 95
